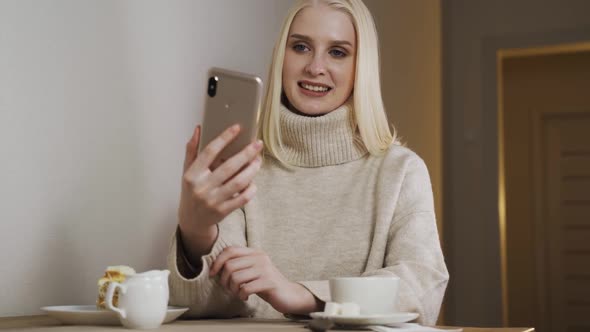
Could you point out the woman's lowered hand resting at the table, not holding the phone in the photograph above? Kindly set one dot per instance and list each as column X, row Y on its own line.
column 247, row 271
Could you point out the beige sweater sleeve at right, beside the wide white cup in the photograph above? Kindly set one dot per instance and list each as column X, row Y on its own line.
column 413, row 251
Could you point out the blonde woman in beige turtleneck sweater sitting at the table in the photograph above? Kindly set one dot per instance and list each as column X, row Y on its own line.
column 337, row 196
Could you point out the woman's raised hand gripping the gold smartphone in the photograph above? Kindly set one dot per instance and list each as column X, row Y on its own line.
column 207, row 195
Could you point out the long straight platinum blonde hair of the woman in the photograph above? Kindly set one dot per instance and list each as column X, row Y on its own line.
column 369, row 112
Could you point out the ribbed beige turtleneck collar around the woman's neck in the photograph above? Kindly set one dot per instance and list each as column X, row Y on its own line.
column 326, row 140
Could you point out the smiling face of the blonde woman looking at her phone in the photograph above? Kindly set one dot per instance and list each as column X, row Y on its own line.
column 320, row 57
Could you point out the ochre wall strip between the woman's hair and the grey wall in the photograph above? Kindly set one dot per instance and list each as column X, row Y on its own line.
column 410, row 38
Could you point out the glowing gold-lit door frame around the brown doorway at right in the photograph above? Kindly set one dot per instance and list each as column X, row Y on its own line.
column 495, row 50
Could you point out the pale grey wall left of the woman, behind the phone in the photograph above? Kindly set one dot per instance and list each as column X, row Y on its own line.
column 97, row 99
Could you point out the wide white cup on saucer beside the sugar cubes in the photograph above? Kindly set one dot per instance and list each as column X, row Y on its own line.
column 374, row 295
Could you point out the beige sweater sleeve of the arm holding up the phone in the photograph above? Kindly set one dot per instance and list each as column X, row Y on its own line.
column 203, row 295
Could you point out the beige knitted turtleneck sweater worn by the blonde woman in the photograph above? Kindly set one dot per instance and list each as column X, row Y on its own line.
column 339, row 212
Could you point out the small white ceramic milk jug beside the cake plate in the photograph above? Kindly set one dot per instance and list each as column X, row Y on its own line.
column 143, row 299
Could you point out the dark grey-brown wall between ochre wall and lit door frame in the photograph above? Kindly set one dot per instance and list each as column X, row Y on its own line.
column 472, row 30
